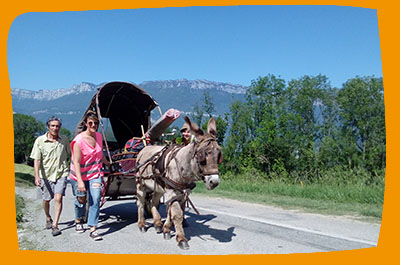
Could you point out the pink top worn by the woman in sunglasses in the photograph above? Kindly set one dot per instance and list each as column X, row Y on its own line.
column 91, row 158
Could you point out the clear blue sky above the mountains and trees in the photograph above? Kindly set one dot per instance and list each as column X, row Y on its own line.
column 234, row 44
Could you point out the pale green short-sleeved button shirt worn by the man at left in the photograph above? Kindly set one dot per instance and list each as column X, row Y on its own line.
column 53, row 156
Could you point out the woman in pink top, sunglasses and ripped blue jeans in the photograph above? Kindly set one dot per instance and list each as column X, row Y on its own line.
column 86, row 174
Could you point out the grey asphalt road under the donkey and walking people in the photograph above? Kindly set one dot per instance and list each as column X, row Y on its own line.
column 223, row 227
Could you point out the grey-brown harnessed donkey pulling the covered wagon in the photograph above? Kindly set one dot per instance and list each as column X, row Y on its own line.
column 173, row 171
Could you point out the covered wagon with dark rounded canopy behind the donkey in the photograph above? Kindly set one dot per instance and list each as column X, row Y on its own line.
column 124, row 111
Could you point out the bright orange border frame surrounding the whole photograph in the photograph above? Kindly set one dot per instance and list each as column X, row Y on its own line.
column 388, row 27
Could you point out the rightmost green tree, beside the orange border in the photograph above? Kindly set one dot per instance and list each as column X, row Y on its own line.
column 362, row 113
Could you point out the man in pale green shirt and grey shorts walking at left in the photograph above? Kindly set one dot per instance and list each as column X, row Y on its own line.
column 50, row 153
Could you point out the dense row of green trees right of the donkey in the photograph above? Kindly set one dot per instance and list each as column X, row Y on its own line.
column 298, row 131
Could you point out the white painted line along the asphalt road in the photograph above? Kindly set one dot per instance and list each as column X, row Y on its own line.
column 372, row 243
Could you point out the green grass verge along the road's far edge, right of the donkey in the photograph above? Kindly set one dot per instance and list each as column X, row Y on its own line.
column 355, row 200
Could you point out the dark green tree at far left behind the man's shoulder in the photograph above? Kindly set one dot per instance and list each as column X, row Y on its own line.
column 26, row 129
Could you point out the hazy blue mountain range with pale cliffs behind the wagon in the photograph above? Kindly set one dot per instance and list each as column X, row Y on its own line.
column 70, row 103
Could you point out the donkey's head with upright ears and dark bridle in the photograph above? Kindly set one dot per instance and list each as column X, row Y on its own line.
column 207, row 152
